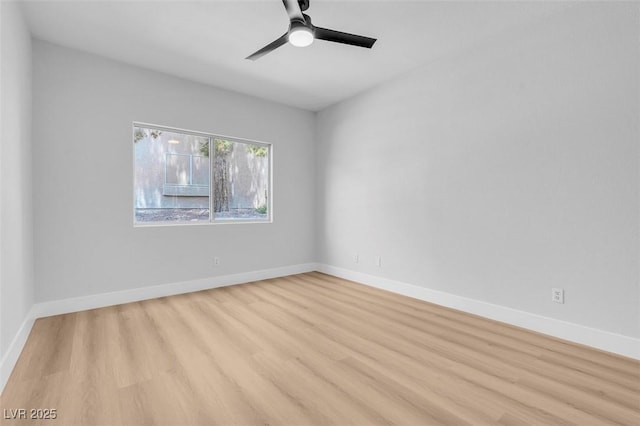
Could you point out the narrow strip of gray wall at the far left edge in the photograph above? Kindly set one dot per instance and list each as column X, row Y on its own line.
column 16, row 206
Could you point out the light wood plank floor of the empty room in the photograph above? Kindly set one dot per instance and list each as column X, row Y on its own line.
column 311, row 349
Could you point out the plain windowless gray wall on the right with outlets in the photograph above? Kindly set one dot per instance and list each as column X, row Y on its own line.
column 500, row 172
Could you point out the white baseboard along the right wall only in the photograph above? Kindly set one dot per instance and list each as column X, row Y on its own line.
column 610, row 342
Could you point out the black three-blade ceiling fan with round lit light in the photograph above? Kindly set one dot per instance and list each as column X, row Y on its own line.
column 302, row 32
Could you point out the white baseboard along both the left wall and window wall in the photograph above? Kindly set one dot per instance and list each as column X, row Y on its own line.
column 76, row 304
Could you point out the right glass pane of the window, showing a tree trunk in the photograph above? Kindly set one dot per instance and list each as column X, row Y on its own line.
column 241, row 180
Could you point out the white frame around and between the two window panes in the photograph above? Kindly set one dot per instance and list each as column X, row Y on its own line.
column 211, row 136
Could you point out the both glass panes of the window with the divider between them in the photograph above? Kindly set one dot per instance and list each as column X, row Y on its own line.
column 192, row 177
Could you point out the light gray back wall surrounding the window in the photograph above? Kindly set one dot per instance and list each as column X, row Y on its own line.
column 86, row 244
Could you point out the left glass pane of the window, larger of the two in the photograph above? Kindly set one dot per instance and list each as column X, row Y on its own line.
column 172, row 174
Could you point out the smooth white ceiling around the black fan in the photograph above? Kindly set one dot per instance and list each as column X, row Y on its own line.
column 207, row 41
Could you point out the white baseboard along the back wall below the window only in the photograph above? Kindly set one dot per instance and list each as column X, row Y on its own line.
column 101, row 300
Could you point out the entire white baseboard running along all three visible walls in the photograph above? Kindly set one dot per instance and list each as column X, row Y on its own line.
column 611, row 342
